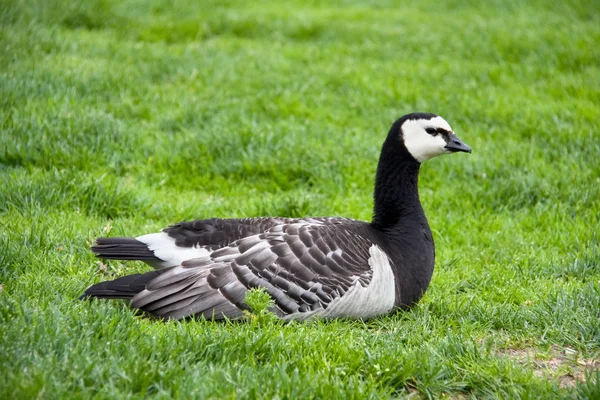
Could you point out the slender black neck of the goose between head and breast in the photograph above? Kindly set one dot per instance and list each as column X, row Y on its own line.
column 396, row 186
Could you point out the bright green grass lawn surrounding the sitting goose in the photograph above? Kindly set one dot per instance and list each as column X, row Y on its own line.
column 118, row 118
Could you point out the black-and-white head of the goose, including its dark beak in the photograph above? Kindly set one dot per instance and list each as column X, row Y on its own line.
column 428, row 135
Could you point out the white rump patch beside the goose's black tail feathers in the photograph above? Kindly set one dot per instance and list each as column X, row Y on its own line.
column 164, row 247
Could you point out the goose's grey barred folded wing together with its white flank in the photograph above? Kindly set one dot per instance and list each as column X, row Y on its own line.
column 308, row 268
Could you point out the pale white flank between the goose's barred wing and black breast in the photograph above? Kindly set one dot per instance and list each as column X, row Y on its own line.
column 363, row 302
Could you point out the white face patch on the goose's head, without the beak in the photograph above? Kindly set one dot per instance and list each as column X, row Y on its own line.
column 421, row 145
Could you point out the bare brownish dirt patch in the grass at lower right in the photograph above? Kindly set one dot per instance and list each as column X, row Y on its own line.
column 563, row 364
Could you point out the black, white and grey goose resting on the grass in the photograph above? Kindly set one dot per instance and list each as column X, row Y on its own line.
column 325, row 267
